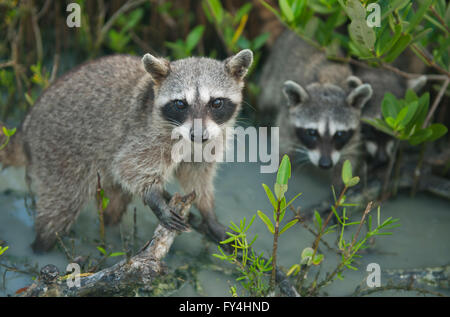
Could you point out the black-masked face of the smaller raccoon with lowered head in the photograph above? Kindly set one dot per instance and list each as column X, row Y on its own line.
column 325, row 119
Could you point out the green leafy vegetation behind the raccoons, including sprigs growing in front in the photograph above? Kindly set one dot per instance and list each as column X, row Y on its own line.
column 36, row 47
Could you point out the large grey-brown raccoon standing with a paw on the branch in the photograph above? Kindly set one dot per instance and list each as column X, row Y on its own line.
column 115, row 117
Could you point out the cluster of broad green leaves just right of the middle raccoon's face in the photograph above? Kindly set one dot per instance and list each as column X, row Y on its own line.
column 404, row 119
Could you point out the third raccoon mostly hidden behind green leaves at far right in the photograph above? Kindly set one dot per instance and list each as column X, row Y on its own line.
column 378, row 145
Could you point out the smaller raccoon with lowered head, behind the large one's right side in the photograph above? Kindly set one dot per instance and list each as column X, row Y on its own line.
column 317, row 112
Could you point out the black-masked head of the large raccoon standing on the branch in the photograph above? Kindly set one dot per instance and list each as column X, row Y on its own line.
column 199, row 97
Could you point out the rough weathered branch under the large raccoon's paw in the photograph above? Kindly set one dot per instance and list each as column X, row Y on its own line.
column 123, row 277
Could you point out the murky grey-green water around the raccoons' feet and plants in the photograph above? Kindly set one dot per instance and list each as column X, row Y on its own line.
column 421, row 241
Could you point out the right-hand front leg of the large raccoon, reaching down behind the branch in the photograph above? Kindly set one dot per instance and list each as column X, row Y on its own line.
column 199, row 177
